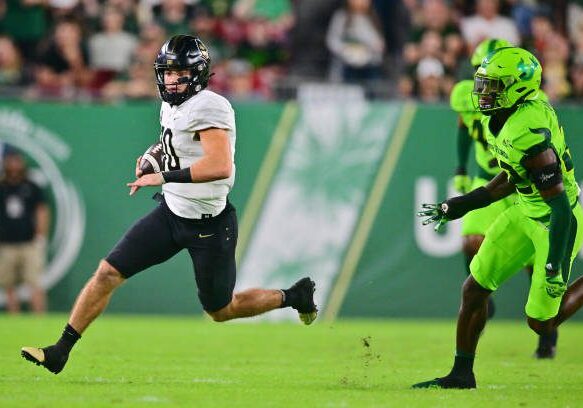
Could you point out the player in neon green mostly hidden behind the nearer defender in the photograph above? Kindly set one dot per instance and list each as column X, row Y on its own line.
column 475, row 223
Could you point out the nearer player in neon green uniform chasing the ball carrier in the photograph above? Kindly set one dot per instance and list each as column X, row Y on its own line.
column 544, row 224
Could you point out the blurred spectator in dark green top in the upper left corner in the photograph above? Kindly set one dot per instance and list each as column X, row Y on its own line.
column 26, row 22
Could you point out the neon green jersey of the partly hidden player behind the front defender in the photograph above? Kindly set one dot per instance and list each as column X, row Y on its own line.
column 461, row 102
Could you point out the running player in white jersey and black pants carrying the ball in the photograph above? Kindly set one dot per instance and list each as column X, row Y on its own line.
column 198, row 137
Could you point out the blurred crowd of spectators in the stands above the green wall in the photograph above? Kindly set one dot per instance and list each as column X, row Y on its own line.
column 264, row 49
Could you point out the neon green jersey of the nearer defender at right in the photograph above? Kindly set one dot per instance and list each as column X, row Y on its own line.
column 530, row 130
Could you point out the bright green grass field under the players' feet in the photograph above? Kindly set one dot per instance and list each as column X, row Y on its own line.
column 165, row 361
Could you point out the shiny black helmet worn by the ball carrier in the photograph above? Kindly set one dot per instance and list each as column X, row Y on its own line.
column 183, row 52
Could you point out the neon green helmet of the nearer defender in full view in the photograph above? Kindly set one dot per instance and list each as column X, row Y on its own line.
column 506, row 77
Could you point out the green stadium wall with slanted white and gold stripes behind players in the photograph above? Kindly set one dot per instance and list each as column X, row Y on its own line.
column 326, row 190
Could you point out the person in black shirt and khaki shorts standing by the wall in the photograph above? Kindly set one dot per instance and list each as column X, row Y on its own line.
column 24, row 226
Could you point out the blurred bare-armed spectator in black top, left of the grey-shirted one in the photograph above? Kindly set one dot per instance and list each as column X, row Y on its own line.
column 63, row 62
